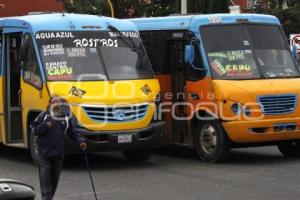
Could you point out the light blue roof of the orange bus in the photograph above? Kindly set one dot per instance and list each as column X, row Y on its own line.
column 194, row 21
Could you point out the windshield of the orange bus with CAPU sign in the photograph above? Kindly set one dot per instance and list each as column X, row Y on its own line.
column 248, row 51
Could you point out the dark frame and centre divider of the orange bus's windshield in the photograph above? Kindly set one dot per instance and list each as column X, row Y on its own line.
column 252, row 48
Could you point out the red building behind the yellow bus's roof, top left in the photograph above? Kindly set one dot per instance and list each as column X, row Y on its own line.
column 23, row 7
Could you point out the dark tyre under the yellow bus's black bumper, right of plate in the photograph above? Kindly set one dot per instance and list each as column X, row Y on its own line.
column 139, row 156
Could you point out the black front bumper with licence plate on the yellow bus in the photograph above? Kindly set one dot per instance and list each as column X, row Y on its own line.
column 99, row 141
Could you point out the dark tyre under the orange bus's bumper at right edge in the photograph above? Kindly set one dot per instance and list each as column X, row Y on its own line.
column 290, row 148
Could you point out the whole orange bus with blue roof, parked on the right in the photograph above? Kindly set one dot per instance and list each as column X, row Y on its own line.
column 227, row 80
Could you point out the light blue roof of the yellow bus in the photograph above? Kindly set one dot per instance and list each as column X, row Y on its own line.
column 64, row 22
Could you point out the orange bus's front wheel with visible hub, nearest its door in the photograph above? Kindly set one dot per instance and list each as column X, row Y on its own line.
column 211, row 141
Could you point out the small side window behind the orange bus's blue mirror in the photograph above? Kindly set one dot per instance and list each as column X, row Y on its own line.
column 199, row 73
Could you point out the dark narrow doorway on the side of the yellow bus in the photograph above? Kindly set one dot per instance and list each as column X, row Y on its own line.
column 12, row 100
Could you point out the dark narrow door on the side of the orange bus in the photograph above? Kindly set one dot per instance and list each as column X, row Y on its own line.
column 178, row 86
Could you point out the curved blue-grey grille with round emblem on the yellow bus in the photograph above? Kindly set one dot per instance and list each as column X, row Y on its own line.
column 123, row 113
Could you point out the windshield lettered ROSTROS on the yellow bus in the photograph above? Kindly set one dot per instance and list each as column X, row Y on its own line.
column 92, row 55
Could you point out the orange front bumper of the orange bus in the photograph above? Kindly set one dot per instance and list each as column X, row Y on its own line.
column 265, row 130
